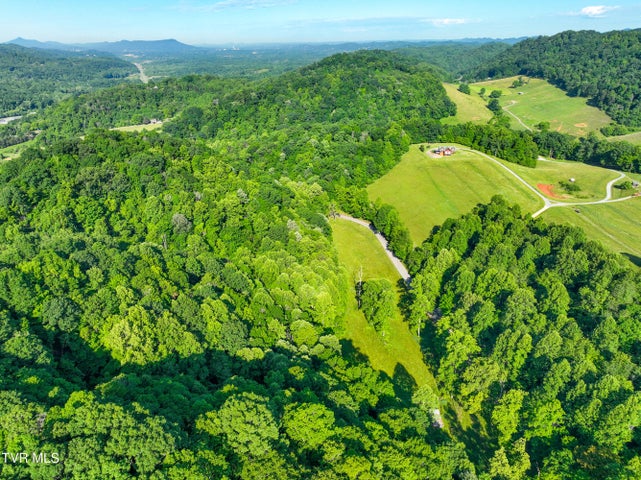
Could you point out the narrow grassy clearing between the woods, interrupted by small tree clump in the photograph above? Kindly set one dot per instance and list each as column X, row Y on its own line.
column 358, row 247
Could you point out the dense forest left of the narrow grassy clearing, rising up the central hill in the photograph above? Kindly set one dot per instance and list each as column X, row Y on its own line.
column 171, row 307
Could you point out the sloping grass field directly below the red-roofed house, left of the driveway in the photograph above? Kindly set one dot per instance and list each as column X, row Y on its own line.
column 426, row 191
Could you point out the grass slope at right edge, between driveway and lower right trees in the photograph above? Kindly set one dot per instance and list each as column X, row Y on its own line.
column 615, row 225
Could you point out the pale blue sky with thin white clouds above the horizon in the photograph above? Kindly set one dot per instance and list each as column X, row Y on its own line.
column 252, row 21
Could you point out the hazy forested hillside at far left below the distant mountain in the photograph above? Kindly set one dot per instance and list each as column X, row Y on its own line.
column 31, row 79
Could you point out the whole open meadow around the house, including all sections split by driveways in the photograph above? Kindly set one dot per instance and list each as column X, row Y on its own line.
column 427, row 190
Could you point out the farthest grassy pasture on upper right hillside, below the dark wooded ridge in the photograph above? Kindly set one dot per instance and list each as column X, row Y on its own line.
column 538, row 101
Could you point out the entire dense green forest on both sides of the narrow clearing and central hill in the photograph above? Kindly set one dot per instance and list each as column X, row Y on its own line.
column 172, row 305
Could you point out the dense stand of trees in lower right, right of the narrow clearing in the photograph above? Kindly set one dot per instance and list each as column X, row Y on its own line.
column 537, row 330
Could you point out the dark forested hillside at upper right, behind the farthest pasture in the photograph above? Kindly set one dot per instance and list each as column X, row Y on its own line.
column 603, row 67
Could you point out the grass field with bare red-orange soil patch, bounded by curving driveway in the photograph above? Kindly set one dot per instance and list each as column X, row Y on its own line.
column 591, row 180
